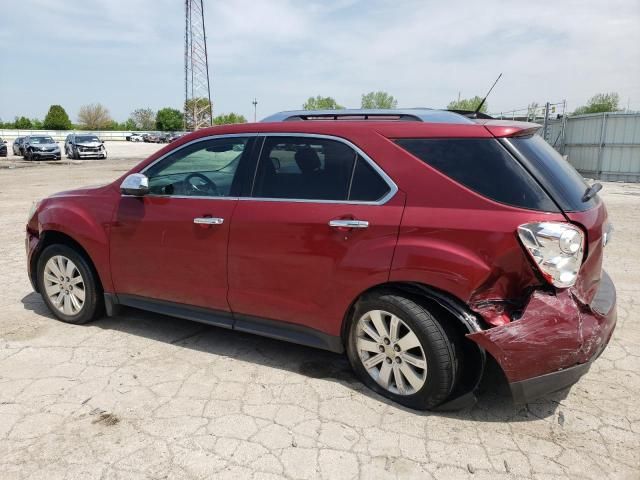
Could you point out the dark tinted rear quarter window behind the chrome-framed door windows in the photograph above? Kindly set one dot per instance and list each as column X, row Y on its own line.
column 484, row 166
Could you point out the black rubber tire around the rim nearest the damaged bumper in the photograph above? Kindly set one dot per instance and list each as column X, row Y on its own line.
column 441, row 349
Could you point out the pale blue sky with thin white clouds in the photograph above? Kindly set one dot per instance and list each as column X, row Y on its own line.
column 129, row 54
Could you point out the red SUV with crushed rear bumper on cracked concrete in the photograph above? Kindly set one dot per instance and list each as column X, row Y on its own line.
column 421, row 242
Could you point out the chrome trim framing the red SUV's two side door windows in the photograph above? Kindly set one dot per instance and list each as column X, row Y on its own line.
column 393, row 188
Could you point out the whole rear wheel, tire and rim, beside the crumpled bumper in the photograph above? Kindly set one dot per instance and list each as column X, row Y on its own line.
column 398, row 349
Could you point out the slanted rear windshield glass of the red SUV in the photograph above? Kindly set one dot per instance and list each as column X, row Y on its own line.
column 557, row 175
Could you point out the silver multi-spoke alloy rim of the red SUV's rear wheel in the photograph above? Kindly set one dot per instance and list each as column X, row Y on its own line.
column 391, row 352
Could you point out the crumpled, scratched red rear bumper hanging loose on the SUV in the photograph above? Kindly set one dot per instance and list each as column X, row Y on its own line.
column 554, row 342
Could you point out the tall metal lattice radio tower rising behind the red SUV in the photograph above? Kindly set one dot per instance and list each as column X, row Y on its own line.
column 198, row 111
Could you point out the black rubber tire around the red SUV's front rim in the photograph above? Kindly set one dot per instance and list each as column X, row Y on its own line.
column 93, row 306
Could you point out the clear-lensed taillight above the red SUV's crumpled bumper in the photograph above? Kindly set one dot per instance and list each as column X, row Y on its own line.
column 556, row 248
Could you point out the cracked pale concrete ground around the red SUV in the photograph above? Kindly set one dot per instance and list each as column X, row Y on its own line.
column 146, row 396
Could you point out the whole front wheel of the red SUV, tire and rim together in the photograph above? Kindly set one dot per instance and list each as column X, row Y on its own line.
column 69, row 285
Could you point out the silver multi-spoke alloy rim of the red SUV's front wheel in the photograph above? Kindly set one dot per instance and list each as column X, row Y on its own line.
column 64, row 285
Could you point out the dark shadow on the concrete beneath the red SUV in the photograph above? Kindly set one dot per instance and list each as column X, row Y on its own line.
column 494, row 399
